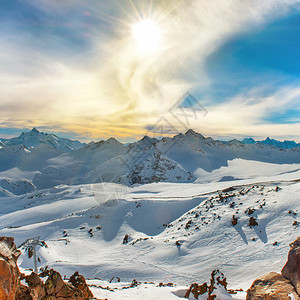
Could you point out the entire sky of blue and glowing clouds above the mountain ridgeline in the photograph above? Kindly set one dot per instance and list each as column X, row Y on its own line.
column 73, row 67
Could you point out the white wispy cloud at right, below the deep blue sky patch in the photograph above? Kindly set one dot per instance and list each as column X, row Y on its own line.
column 251, row 114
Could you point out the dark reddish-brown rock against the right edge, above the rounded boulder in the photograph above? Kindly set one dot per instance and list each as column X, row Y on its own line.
column 291, row 269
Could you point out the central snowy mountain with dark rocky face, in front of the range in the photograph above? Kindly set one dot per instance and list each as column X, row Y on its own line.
column 111, row 161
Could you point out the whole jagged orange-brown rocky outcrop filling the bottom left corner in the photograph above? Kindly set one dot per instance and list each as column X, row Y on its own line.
column 54, row 288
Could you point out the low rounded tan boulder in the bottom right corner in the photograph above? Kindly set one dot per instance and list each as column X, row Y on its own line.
column 271, row 286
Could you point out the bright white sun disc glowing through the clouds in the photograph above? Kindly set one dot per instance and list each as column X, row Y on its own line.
column 147, row 36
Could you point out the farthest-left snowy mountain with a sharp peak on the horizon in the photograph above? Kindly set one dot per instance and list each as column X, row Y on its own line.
column 35, row 138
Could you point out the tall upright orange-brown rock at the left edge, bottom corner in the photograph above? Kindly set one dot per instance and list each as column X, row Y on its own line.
column 9, row 271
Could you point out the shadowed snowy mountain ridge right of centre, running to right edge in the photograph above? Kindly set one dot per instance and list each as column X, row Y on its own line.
column 193, row 151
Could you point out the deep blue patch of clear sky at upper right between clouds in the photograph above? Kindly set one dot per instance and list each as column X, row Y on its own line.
column 269, row 53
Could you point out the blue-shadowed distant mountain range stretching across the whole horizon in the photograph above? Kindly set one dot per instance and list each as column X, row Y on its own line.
column 40, row 160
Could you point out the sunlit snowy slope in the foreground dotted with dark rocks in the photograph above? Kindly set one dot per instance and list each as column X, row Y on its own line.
column 84, row 227
